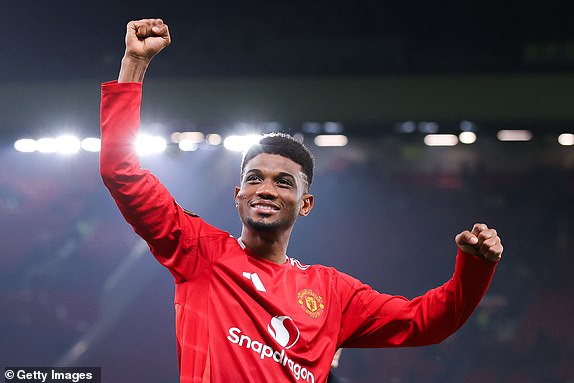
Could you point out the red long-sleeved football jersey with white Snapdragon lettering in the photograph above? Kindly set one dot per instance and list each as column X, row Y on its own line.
column 241, row 318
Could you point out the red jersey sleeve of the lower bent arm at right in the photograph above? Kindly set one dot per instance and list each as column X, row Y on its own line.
column 372, row 319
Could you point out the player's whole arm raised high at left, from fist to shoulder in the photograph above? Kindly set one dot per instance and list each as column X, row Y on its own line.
column 142, row 199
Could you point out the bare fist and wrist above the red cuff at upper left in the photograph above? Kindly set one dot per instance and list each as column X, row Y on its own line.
column 144, row 39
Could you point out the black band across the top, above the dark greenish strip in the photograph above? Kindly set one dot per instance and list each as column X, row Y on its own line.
column 71, row 40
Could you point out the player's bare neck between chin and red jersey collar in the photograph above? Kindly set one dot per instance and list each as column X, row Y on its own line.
column 269, row 246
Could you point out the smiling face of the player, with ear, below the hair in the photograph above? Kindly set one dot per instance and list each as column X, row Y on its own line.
column 272, row 194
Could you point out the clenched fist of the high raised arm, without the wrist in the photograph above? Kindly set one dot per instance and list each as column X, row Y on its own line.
column 146, row 38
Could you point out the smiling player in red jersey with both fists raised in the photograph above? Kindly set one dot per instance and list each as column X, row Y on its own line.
column 245, row 311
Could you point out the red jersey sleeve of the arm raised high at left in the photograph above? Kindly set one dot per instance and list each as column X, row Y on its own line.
column 143, row 201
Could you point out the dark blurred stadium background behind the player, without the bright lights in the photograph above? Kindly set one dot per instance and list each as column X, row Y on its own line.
column 78, row 288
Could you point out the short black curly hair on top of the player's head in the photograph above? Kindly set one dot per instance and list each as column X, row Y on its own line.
column 284, row 145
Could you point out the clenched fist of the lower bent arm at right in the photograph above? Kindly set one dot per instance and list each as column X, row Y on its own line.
column 481, row 241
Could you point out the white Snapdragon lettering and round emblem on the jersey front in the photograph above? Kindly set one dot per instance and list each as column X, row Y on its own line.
column 267, row 352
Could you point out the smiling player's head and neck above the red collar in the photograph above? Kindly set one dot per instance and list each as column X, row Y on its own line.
column 273, row 192
